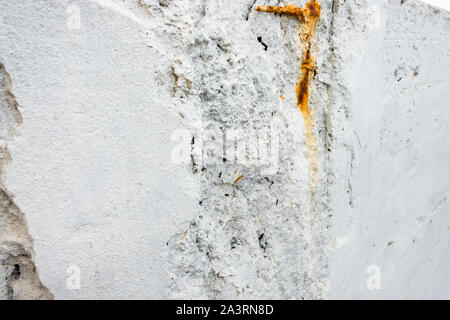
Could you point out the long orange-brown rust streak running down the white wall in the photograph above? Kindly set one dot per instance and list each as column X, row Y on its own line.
column 308, row 17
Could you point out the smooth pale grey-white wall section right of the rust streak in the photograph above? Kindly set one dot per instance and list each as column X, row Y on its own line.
column 399, row 184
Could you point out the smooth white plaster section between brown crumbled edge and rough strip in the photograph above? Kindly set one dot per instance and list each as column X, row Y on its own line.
column 91, row 166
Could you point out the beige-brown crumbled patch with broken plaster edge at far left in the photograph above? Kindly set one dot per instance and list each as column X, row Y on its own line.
column 18, row 275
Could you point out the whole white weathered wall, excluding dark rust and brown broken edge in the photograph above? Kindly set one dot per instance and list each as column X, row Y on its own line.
column 162, row 153
